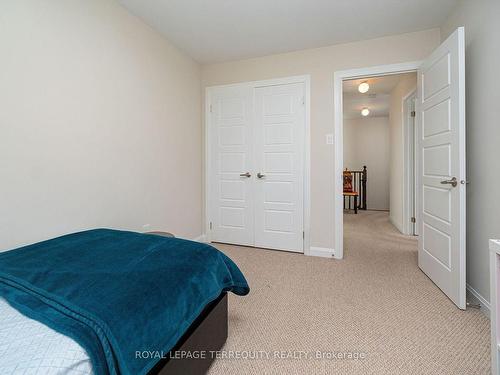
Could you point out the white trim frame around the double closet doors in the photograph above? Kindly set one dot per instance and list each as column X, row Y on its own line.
column 306, row 80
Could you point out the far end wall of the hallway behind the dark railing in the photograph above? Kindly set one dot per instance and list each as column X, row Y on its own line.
column 366, row 142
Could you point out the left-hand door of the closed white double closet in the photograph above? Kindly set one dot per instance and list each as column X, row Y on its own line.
column 231, row 173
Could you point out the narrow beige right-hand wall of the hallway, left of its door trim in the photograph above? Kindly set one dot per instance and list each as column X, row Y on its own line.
column 407, row 84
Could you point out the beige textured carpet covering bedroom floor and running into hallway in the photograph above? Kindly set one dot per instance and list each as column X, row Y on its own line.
column 376, row 301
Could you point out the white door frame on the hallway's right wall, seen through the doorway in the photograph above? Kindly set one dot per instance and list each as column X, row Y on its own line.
column 410, row 176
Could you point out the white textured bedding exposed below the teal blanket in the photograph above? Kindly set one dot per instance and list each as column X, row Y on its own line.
column 29, row 347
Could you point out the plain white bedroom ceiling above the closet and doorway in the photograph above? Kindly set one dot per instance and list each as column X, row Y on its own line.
column 222, row 30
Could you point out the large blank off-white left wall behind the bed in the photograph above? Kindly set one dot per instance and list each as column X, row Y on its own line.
column 100, row 123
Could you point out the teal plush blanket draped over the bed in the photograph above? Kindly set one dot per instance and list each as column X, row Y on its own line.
column 117, row 293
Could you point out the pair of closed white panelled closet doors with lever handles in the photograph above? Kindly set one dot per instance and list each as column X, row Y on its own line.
column 256, row 141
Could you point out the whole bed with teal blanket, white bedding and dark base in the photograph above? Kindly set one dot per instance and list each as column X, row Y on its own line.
column 114, row 302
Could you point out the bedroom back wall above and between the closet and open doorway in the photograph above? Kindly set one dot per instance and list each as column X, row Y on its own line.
column 321, row 63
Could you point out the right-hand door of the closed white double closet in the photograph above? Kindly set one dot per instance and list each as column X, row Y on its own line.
column 279, row 149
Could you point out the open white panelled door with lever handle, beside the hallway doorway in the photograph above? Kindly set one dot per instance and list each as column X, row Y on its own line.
column 441, row 140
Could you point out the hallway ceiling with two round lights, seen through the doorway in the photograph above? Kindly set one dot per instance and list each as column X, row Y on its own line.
column 377, row 99
